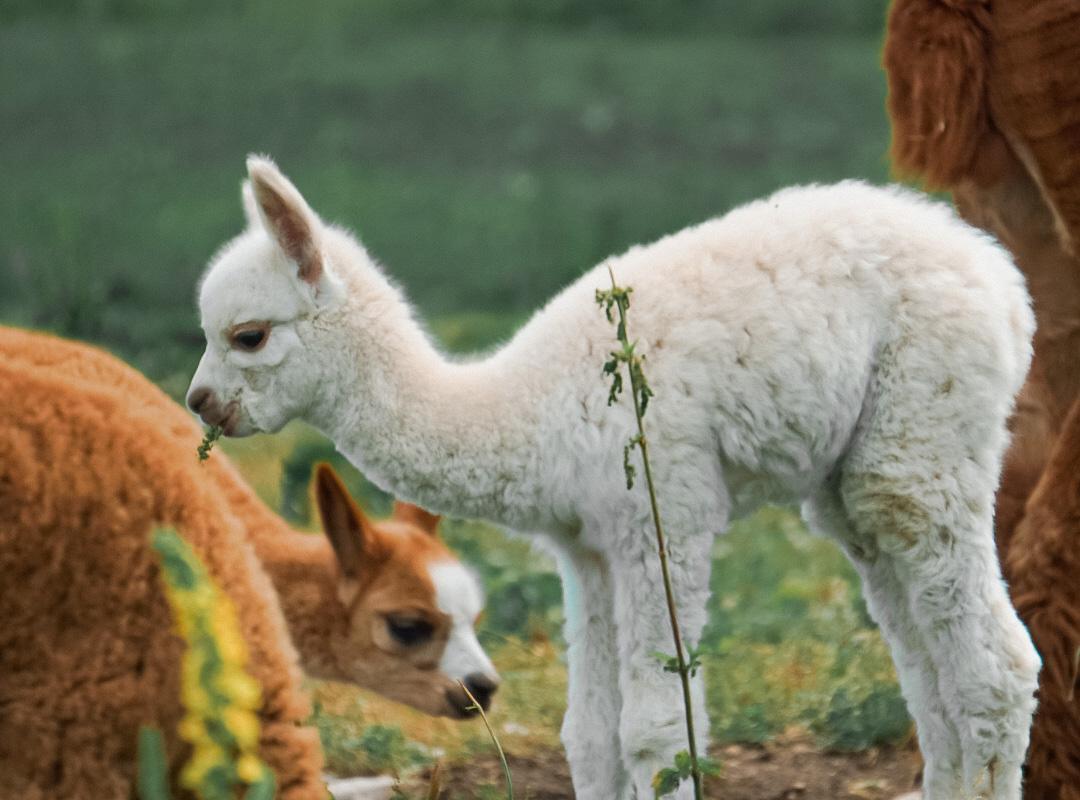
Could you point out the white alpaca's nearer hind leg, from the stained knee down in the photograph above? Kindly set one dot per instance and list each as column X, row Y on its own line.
column 987, row 666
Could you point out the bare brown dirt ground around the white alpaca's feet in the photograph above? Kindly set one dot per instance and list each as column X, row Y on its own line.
column 785, row 770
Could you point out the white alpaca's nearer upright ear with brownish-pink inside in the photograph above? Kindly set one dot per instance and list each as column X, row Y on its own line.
column 287, row 218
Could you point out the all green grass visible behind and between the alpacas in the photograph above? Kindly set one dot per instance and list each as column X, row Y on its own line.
column 488, row 152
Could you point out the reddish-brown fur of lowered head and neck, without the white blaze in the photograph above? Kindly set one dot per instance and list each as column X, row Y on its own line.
column 340, row 626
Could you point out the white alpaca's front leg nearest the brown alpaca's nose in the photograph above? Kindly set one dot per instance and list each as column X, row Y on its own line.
column 591, row 726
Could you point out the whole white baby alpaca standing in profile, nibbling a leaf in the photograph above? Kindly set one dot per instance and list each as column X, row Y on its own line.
column 850, row 348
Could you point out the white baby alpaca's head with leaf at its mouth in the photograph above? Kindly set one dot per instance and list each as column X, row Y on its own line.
column 261, row 302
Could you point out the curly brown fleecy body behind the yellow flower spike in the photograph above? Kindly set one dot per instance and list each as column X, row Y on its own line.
column 87, row 648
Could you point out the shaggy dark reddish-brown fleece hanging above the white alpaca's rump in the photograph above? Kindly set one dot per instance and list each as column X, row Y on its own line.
column 968, row 76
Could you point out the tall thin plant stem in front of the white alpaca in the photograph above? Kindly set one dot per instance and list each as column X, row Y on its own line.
column 643, row 444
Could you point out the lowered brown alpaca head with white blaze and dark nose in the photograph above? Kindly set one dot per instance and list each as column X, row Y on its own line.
column 406, row 607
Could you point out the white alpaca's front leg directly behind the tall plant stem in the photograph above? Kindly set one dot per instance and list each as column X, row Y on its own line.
column 653, row 724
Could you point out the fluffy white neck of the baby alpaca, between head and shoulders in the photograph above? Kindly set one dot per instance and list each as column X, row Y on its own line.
column 453, row 438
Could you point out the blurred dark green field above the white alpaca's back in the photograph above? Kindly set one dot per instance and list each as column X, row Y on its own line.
column 487, row 164
